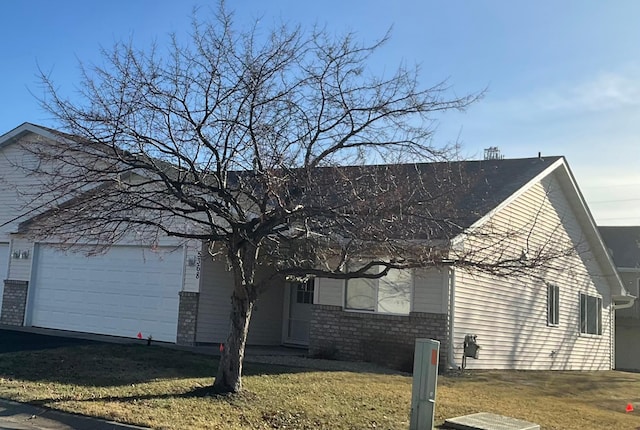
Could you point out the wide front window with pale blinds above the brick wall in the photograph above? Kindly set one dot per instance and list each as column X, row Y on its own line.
column 389, row 294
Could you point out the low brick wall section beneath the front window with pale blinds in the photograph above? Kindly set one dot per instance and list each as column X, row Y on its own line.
column 388, row 340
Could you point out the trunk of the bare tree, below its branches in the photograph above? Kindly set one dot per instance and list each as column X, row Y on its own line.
column 229, row 376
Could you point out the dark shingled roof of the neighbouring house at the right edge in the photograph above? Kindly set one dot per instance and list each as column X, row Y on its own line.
column 623, row 244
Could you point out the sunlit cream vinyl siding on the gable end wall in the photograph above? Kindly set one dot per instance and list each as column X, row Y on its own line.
column 509, row 315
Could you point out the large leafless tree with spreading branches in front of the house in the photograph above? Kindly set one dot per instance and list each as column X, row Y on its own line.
column 236, row 139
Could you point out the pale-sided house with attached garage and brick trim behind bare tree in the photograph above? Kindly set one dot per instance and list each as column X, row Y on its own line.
column 173, row 291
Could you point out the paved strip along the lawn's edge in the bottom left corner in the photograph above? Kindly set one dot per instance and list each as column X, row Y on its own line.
column 19, row 416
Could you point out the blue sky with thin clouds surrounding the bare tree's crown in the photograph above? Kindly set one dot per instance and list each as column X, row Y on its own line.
column 562, row 77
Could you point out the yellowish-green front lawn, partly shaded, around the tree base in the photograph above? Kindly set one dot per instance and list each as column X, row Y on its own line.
column 163, row 388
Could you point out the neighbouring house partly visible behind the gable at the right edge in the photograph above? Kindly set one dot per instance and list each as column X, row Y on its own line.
column 624, row 245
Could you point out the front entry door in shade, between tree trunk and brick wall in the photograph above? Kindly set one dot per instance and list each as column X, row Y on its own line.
column 298, row 315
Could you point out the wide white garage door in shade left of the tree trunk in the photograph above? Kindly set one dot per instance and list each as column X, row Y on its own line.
column 123, row 292
